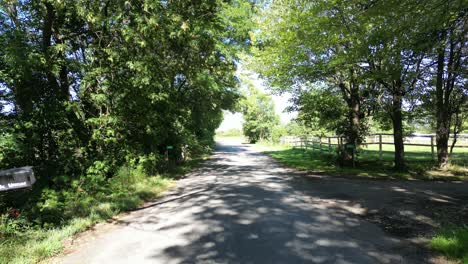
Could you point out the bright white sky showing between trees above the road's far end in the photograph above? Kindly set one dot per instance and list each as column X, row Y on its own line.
column 235, row 120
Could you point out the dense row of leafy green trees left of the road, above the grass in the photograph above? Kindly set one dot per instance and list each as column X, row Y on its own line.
column 88, row 86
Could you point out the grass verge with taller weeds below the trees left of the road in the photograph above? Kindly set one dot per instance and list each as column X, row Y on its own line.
column 23, row 241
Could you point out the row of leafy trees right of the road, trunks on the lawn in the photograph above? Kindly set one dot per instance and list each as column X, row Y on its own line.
column 354, row 63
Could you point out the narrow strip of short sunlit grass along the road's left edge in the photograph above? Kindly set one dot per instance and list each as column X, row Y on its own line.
column 35, row 244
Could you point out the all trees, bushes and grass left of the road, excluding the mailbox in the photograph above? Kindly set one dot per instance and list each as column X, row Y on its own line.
column 108, row 101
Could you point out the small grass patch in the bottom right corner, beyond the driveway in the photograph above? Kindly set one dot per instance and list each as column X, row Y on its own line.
column 453, row 243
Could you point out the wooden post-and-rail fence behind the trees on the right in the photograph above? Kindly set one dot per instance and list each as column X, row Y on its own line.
column 328, row 144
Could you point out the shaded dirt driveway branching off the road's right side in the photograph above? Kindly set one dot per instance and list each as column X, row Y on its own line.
column 412, row 211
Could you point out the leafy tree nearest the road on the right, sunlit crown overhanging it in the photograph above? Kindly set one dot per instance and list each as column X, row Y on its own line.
column 300, row 46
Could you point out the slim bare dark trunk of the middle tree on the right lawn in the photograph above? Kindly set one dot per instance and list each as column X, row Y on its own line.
column 397, row 119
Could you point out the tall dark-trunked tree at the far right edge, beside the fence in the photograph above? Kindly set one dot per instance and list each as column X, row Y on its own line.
column 451, row 88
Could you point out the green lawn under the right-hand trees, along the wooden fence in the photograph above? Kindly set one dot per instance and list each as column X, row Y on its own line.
column 419, row 161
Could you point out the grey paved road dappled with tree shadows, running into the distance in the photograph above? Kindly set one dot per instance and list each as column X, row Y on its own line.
column 241, row 207
